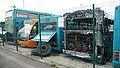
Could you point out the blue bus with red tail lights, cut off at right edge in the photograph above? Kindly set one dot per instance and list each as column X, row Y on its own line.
column 116, row 39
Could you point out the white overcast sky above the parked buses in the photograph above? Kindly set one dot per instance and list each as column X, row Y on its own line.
column 52, row 6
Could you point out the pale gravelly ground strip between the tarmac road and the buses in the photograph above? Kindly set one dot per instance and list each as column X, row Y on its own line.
column 56, row 60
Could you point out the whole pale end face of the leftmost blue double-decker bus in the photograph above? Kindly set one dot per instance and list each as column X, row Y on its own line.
column 9, row 27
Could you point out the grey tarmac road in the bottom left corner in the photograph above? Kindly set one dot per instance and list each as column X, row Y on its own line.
column 10, row 59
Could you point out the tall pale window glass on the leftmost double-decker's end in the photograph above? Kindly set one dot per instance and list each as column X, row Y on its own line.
column 9, row 21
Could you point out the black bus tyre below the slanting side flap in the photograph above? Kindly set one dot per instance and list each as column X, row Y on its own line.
column 46, row 49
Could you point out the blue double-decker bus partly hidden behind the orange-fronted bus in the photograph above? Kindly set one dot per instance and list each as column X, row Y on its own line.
column 14, row 21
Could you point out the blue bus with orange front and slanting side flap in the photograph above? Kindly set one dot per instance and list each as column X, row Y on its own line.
column 51, row 35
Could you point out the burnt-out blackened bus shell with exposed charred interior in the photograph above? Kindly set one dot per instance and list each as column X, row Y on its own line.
column 78, row 34
